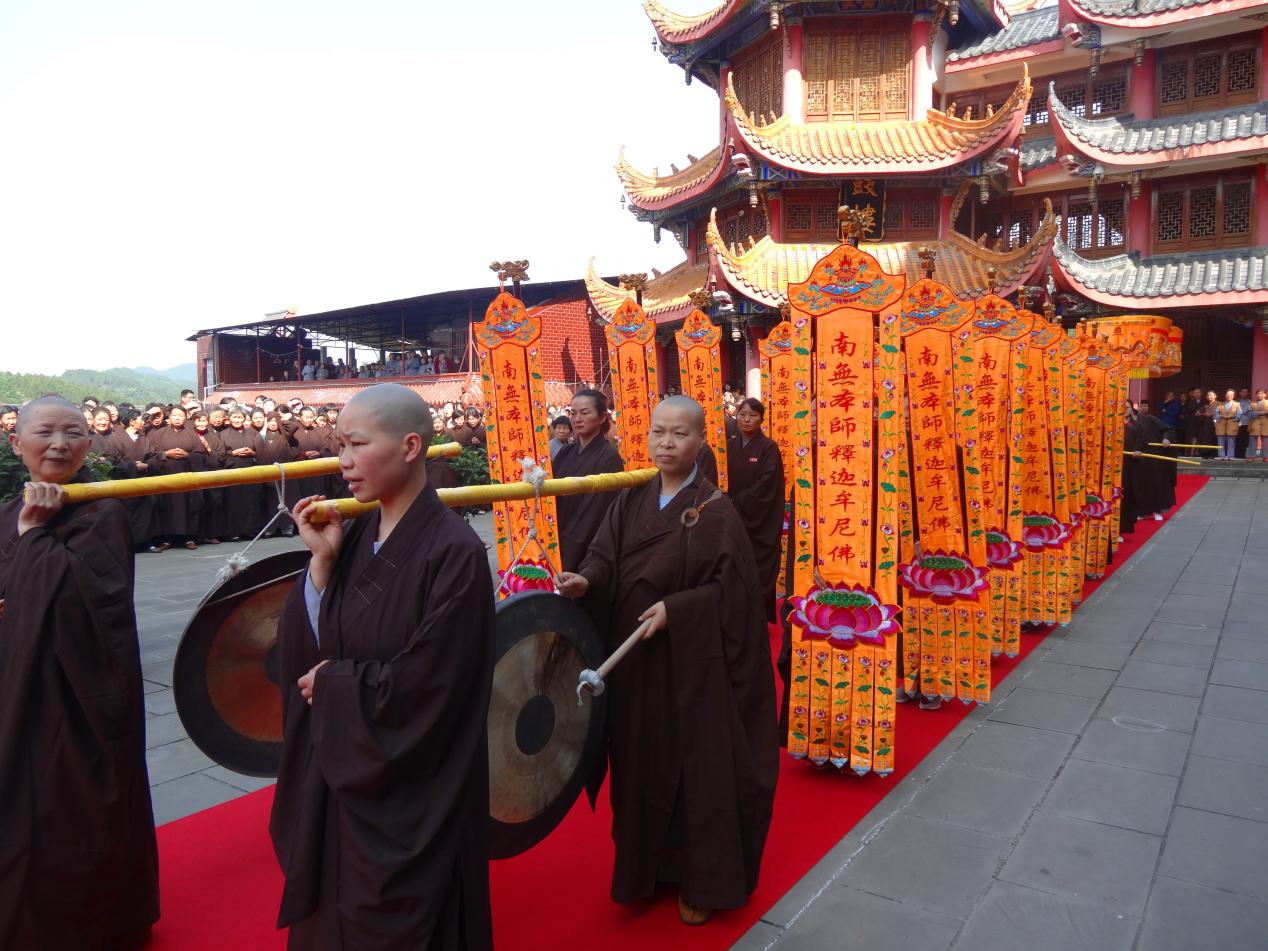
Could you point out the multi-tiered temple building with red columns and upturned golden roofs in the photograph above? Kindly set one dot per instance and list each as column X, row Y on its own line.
column 1106, row 154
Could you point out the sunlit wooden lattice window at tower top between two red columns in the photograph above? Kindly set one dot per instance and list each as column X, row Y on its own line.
column 858, row 73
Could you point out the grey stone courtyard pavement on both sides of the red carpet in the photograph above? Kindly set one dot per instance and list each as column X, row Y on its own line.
column 1115, row 794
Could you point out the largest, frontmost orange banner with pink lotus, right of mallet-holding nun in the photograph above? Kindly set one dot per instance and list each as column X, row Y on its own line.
column 849, row 452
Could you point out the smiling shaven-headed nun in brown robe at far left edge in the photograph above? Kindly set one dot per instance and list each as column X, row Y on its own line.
column 79, row 865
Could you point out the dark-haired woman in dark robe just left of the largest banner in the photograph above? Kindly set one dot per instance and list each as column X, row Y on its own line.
column 755, row 482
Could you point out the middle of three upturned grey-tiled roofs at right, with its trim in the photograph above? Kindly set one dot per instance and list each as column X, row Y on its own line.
column 1141, row 144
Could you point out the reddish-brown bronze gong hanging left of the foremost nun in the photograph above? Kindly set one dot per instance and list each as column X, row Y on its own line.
column 210, row 674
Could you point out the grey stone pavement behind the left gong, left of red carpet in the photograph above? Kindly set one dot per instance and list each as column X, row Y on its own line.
column 169, row 589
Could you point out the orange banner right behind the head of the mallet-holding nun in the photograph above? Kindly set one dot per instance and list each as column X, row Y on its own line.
column 632, row 357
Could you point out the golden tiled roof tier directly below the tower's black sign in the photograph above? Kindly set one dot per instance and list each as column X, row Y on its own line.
column 764, row 271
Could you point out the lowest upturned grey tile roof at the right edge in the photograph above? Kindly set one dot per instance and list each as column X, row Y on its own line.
column 1168, row 276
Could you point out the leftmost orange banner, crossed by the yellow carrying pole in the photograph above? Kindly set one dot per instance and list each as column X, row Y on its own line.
column 508, row 342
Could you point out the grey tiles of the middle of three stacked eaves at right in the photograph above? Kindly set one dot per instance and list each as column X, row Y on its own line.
column 1128, row 136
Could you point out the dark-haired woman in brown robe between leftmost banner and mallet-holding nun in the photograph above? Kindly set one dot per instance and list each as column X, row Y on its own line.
column 589, row 455
